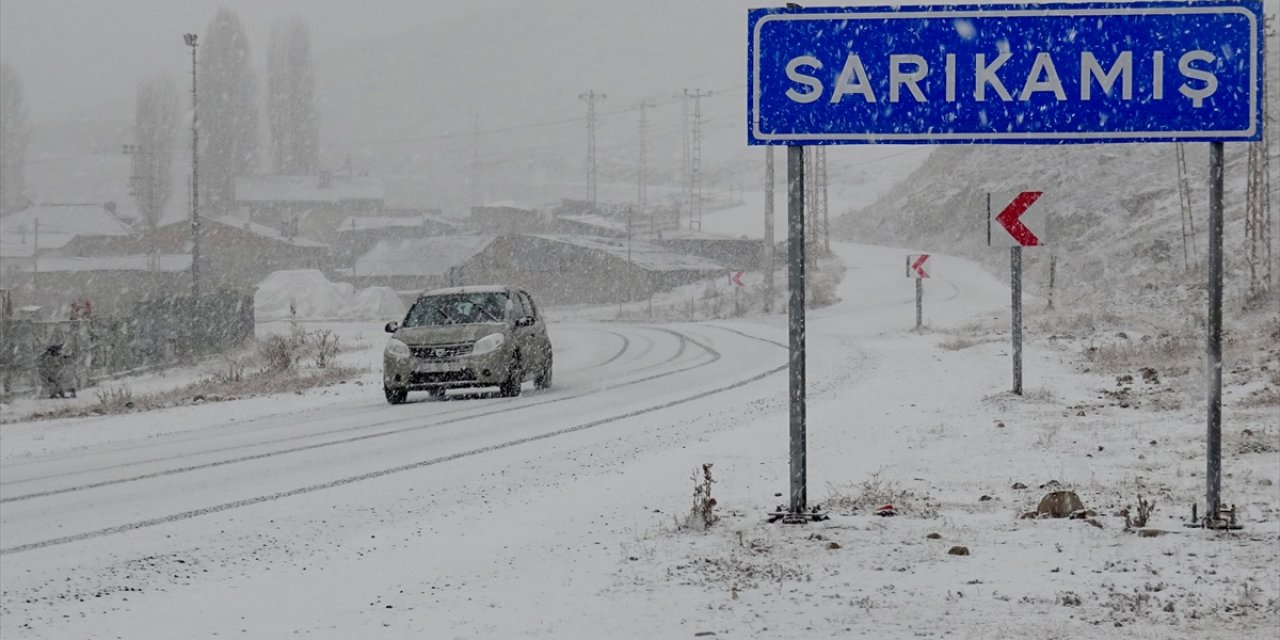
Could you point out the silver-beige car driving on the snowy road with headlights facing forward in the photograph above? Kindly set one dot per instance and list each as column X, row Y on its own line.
column 465, row 337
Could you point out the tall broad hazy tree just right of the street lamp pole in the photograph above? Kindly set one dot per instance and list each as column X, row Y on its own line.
column 228, row 117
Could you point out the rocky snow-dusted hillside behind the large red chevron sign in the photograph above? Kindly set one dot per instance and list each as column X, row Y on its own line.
column 1116, row 225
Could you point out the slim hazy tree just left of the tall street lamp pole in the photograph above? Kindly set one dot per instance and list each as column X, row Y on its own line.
column 156, row 129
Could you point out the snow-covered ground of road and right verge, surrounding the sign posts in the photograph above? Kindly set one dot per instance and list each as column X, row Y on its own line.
column 565, row 514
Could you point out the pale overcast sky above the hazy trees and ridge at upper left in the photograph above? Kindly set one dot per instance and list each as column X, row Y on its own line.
column 74, row 54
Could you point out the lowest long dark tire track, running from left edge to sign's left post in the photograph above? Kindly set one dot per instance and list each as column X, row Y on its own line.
column 372, row 476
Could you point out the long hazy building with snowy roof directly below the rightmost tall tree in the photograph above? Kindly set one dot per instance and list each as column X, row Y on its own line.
column 313, row 207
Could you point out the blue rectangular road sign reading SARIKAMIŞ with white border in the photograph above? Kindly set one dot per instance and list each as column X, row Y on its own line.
column 1032, row 74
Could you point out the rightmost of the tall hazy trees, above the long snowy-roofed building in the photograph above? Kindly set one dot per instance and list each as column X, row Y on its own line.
column 291, row 86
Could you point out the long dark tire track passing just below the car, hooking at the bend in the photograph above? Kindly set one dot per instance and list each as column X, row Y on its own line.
column 684, row 342
